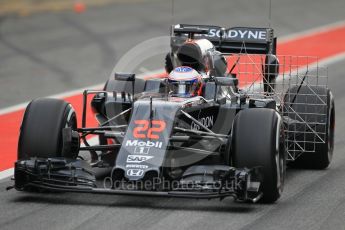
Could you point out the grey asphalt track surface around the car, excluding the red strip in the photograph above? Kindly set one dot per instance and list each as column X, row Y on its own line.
column 52, row 53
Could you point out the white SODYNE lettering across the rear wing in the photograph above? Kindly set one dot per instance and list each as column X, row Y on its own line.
column 240, row 34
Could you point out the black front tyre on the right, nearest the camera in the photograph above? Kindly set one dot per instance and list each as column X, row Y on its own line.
column 258, row 140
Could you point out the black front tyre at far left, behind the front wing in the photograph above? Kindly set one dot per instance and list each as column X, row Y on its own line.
column 41, row 129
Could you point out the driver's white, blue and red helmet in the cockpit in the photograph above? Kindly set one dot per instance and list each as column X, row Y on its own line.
column 184, row 81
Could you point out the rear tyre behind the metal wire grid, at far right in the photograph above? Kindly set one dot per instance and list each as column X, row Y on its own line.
column 321, row 154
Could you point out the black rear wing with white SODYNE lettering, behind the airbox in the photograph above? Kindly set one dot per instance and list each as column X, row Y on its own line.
column 250, row 40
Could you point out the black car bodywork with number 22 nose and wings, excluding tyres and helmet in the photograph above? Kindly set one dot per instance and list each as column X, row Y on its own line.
column 147, row 136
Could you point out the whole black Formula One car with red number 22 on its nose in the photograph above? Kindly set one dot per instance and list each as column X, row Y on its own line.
column 225, row 121
